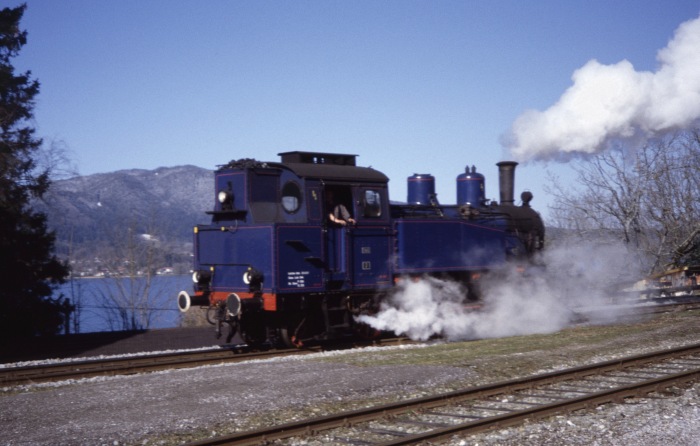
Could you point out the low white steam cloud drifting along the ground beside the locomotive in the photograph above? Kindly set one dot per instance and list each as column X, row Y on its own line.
column 543, row 302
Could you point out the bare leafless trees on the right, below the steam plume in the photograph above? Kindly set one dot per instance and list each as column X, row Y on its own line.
column 647, row 196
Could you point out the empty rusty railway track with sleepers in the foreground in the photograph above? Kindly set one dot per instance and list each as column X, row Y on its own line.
column 476, row 409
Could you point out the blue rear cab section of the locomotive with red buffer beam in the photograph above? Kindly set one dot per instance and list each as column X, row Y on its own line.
column 271, row 256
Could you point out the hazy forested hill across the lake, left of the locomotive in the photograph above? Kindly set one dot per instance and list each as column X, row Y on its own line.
column 96, row 216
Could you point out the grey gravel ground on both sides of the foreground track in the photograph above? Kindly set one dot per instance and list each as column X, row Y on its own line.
column 176, row 406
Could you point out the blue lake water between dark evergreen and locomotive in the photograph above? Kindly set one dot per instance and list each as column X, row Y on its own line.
column 112, row 304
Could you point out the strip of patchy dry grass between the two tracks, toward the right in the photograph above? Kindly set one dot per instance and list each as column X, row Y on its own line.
column 506, row 358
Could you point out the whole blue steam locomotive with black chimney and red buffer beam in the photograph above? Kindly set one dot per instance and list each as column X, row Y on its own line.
column 297, row 249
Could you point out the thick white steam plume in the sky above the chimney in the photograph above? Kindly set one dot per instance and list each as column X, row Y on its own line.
column 614, row 102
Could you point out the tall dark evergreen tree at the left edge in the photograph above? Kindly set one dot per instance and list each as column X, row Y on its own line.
column 29, row 270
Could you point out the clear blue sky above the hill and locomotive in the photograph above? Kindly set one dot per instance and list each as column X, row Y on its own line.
column 409, row 86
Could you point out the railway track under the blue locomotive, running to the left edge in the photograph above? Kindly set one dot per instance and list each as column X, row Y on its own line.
column 12, row 376
